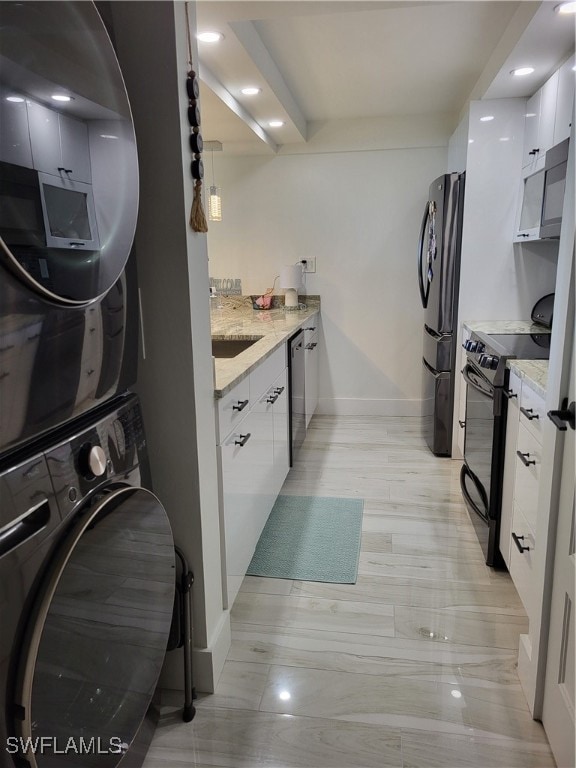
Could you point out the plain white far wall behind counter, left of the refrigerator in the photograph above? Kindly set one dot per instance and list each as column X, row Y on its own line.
column 358, row 213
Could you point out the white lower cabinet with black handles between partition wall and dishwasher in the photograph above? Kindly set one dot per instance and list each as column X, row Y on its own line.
column 253, row 460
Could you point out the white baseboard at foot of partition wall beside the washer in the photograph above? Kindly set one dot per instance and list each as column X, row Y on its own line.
column 207, row 663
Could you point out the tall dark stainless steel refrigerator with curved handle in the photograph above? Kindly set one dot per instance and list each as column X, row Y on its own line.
column 438, row 280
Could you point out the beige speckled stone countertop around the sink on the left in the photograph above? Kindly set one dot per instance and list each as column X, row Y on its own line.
column 234, row 318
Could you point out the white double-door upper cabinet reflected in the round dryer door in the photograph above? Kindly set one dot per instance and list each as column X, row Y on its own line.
column 59, row 143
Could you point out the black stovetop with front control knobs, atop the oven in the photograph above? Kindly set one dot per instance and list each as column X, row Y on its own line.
column 491, row 351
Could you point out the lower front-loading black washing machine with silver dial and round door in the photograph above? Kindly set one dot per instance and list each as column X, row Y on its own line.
column 86, row 596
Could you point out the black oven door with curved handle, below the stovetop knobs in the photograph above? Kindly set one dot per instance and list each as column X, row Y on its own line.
column 476, row 474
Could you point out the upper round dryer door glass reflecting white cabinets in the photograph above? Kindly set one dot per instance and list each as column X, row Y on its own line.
column 68, row 161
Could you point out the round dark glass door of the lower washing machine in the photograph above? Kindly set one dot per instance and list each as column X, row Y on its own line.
column 96, row 640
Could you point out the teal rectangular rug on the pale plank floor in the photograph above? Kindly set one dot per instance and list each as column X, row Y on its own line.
column 310, row 538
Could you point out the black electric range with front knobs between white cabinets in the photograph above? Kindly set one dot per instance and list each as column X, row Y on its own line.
column 486, row 377
